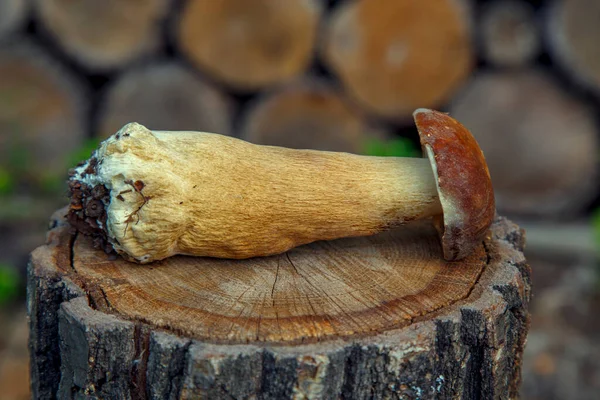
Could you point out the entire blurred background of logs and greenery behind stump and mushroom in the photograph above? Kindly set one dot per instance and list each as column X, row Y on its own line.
column 340, row 75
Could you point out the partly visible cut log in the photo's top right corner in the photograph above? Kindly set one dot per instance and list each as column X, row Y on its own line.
column 573, row 30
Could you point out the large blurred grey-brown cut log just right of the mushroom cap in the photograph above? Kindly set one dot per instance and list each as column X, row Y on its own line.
column 549, row 138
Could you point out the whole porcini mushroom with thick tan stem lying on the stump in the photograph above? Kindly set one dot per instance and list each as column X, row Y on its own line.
column 153, row 194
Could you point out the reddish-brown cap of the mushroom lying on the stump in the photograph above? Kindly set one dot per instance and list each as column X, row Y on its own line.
column 463, row 182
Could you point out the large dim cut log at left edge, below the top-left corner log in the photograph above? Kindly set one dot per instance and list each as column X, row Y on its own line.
column 43, row 111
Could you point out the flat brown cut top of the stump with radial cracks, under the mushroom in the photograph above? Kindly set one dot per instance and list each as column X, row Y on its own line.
column 326, row 289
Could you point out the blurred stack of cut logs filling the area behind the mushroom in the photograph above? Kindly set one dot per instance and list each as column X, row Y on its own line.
column 331, row 75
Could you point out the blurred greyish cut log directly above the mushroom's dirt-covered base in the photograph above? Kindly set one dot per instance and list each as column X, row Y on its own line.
column 165, row 96
